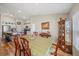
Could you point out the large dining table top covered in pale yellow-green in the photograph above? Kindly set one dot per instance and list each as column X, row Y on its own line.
column 39, row 46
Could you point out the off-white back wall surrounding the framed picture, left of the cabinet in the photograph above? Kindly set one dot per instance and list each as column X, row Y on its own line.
column 53, row 25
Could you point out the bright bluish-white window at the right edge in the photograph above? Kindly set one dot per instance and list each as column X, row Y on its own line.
column 76, row 31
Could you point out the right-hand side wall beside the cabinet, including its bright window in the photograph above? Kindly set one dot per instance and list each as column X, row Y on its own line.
column 75, row 17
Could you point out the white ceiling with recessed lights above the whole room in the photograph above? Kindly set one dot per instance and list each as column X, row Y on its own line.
column 26, row 10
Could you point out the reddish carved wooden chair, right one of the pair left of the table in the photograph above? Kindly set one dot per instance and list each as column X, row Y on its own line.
column 25, row 45
